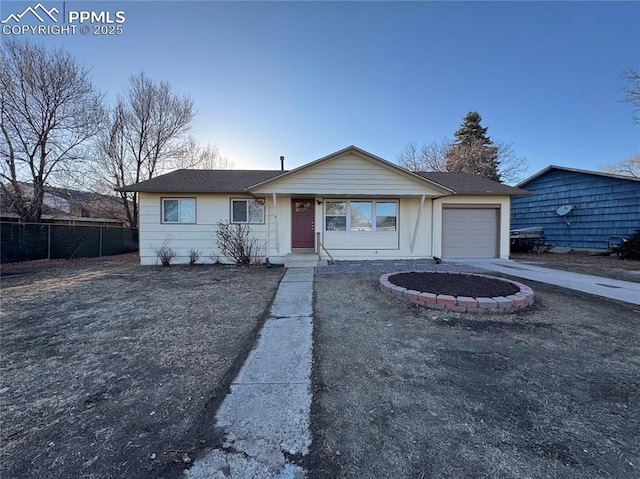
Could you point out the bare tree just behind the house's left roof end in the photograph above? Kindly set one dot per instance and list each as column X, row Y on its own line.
column 147, row 135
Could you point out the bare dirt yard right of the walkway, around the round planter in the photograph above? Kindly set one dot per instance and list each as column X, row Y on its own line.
column 406, row 392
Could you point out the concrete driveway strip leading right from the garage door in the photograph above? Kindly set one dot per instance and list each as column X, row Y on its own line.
column 609, row 288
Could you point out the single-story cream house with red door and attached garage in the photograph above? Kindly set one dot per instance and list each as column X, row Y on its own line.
column 350, row 205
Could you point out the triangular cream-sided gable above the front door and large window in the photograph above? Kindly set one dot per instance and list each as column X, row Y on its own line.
column 351, row 175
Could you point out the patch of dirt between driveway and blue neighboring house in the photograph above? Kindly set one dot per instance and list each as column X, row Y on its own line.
column 581, row 262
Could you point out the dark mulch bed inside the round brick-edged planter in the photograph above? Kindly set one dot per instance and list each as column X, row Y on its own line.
column 454, row 284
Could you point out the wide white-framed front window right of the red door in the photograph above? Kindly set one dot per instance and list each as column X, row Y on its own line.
column 361, row 216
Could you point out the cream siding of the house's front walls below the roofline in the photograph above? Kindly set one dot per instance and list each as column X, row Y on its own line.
column 212, row 208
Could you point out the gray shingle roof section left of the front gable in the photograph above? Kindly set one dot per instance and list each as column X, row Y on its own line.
column 204, row 181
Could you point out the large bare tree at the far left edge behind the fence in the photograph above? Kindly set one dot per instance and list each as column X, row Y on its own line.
column 48, row 111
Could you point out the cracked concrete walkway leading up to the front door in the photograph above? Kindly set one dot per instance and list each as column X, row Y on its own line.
column 266, row 416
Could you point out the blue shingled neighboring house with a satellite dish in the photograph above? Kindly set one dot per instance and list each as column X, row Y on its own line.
column 578, row 208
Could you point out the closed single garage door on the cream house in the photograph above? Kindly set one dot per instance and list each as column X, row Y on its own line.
column 470, row 232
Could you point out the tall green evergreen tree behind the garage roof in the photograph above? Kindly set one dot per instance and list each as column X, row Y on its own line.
column 473, row 151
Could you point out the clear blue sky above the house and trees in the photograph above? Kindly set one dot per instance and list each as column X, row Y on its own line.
column 304, row 79
